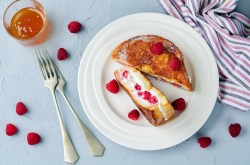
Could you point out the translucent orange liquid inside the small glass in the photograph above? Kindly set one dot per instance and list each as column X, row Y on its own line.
column 26, row 23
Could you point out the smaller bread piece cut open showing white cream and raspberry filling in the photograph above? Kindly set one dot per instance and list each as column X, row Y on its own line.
column 149, row 100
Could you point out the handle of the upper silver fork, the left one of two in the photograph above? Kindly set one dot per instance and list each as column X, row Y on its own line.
column 70, row 154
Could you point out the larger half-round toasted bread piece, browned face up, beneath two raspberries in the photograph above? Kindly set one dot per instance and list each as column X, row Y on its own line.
column 136, row 52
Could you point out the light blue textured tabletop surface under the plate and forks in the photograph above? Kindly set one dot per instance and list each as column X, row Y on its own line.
column 20, row 81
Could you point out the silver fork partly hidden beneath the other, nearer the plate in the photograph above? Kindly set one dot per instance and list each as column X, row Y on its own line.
column 95, row 146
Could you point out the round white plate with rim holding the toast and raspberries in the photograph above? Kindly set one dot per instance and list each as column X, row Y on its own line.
column 108, row 112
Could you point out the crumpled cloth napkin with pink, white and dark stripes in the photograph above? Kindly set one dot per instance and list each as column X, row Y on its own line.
column 226, row 33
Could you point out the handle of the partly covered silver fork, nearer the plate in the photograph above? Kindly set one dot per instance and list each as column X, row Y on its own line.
column 95, row 145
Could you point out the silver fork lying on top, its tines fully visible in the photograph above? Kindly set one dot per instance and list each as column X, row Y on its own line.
column 50, row 81
